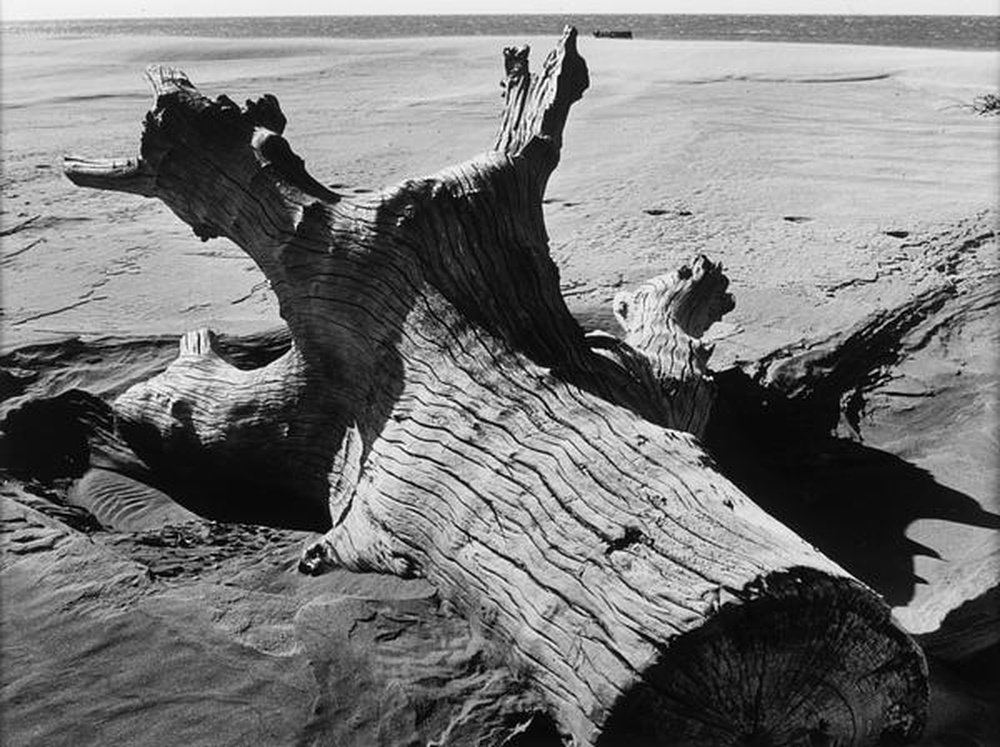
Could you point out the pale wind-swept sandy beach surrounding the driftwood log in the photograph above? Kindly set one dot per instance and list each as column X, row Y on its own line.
column 829, row 180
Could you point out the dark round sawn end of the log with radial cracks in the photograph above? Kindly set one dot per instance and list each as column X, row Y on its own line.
column 813, row 660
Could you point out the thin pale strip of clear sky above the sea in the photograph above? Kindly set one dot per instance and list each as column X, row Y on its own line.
column 18, row 10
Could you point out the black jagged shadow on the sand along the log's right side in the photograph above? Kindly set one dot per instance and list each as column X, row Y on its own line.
column 851, row 501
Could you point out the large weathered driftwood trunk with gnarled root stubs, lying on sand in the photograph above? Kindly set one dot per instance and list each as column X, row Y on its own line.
column 459, row 425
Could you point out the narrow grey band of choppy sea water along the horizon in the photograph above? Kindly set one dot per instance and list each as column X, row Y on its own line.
column 949, row 32
